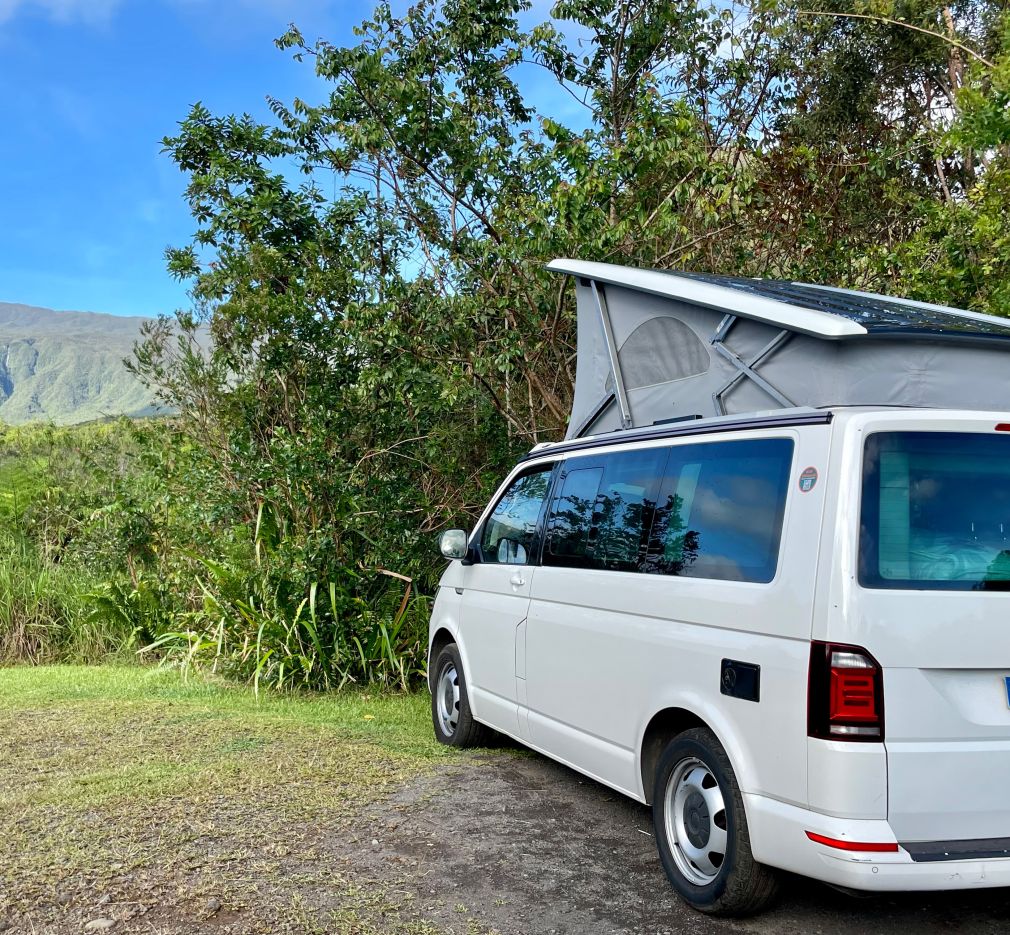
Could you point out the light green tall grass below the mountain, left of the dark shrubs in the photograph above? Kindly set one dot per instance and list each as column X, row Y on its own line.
column 75, row 528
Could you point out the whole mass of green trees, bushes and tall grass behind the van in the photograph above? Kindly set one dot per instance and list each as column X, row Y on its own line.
column 370, row 264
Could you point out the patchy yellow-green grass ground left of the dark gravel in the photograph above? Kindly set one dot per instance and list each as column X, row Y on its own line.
column 169, row 804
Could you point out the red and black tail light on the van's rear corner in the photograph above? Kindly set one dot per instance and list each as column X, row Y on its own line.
column 845, row 694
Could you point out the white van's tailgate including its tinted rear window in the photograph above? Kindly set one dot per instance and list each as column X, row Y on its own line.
column 934, row 607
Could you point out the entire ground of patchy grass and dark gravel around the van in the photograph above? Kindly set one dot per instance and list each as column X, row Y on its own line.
column 136, row 803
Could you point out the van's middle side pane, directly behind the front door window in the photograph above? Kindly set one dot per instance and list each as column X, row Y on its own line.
column 604, row 509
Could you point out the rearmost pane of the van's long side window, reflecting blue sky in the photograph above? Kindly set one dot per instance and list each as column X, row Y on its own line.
column 721, row 509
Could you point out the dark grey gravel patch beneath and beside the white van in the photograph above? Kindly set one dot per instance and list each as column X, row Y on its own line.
column 530, row 848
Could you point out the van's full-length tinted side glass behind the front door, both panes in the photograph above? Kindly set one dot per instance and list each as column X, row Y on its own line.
column 712, row 510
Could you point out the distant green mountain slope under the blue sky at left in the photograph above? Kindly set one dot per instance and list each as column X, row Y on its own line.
column 67, row 367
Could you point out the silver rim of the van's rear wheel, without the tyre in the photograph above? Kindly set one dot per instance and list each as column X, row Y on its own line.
column 695, row 816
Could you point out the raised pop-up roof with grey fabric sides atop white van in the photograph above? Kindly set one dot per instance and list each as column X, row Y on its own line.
column 657, row 346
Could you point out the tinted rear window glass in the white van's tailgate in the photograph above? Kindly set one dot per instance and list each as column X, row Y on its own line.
column 936, row 511
